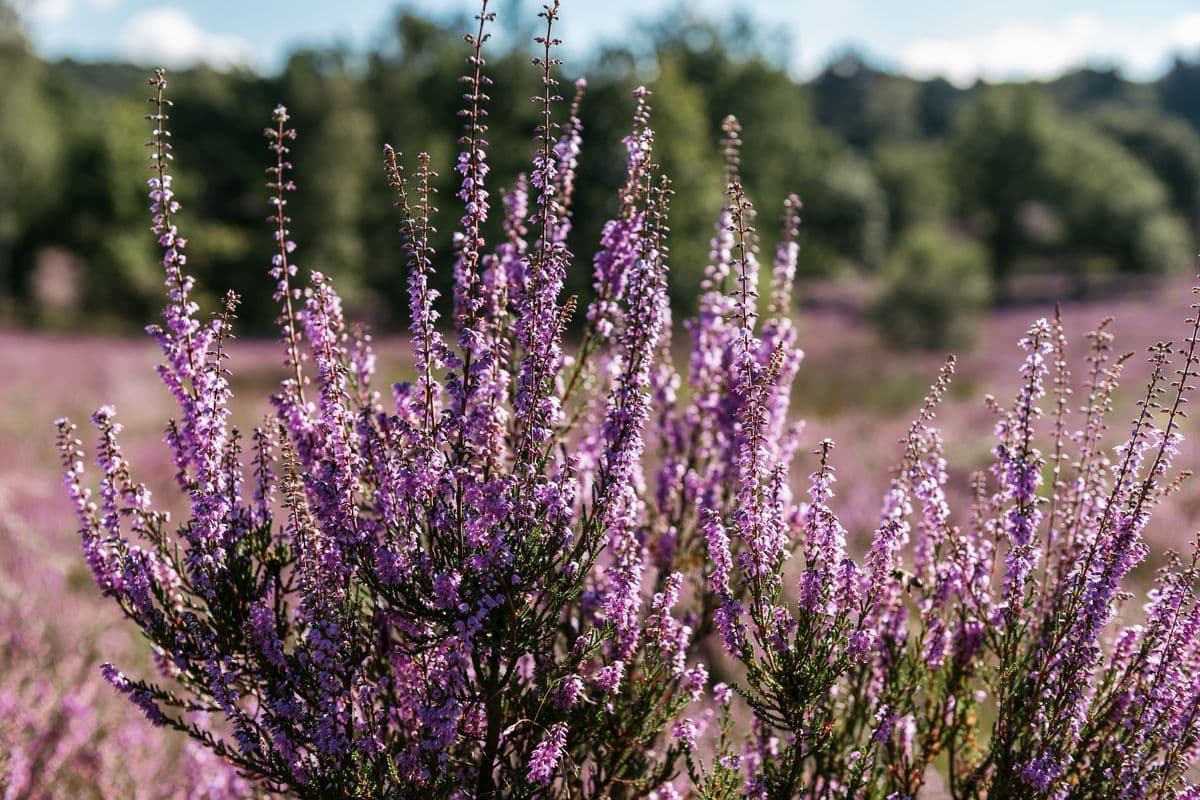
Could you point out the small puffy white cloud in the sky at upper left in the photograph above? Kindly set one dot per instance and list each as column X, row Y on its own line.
column 171, row 38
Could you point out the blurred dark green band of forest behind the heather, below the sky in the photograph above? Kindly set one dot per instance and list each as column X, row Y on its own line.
column 941, row 200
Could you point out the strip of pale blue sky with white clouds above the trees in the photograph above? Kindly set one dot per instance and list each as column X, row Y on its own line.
column 958, row 39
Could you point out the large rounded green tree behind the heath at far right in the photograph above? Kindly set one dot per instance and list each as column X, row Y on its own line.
column 1036, row 183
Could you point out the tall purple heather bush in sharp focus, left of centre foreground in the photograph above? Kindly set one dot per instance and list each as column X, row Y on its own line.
column 437, row 590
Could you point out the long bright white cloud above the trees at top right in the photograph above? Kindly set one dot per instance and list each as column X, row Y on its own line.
column 1047, row 50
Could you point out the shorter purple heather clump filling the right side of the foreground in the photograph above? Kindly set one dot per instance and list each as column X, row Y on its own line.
column 989, row 649
